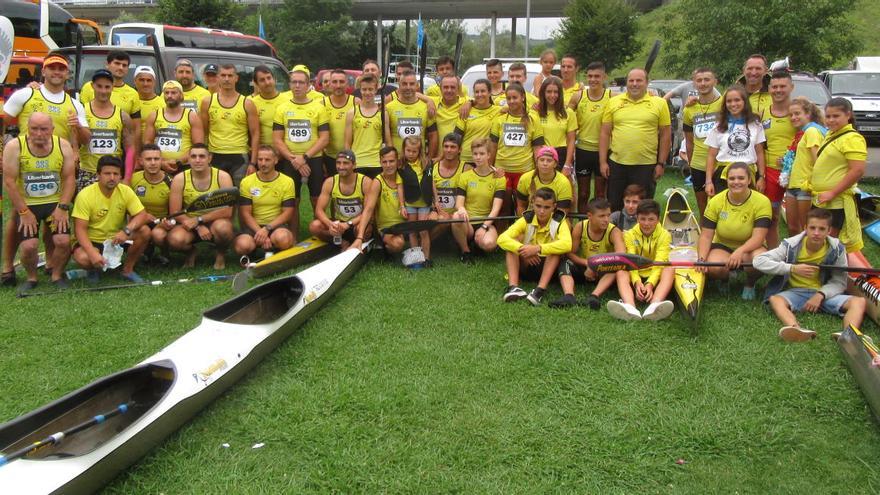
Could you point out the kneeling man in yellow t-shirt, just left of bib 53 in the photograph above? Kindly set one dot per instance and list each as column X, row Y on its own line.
column 265, row 207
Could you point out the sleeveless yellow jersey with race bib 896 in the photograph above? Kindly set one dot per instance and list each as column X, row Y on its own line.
column 39, row 177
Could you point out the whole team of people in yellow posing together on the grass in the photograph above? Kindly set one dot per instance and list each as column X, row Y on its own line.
column 377, row 157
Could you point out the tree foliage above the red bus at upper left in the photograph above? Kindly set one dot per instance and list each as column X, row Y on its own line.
column 220, row 14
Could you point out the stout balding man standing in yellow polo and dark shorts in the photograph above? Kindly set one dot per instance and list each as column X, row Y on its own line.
column 636, row 130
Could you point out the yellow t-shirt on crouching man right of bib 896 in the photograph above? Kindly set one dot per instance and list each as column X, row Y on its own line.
column 106, row 216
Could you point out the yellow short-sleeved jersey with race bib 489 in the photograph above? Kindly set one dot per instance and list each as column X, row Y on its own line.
column 301, row 123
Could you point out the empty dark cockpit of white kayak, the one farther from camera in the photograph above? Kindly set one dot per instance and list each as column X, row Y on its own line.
column 263, row 304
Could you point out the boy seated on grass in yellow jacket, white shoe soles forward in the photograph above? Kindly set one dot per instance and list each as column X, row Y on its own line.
column 652, row 284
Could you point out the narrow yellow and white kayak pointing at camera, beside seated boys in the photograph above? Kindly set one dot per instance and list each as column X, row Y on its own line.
column 681, row 223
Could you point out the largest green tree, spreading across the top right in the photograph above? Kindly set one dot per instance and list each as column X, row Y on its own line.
column 816, row 34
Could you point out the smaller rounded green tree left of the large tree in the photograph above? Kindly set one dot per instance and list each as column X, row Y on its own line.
column 602, row 30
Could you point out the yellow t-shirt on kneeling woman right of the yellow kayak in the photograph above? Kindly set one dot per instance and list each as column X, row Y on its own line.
column 733, row 224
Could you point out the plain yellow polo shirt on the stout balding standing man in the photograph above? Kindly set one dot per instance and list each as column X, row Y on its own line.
column 636, row 124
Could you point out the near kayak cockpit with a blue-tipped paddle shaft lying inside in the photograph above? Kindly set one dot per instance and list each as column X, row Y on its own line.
column 138, row 388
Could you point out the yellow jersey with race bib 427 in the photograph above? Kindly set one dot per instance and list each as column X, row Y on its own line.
column 515, row 141
